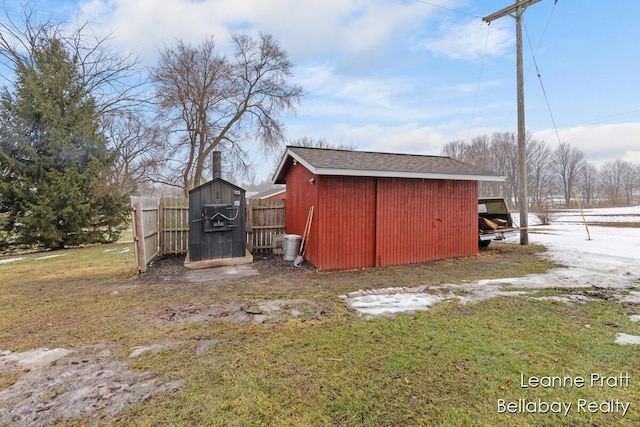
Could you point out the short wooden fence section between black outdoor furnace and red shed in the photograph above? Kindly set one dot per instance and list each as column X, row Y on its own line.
column 265, row 219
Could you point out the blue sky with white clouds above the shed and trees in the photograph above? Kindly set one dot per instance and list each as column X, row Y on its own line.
column 410, row 76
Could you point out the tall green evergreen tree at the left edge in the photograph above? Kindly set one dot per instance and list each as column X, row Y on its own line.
column 54, row 162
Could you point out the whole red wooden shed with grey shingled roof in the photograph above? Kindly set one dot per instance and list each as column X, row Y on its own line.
column 379, row 209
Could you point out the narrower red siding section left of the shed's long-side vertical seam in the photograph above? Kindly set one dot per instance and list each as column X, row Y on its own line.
column 345, row 233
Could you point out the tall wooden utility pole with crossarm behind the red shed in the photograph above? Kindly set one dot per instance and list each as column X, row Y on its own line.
column 516, row 10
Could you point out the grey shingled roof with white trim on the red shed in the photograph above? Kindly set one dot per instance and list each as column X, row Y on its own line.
column 321, row 161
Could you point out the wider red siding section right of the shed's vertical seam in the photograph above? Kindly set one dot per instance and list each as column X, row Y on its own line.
column 423, row 220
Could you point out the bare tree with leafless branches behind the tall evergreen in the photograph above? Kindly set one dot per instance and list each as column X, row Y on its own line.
column 108, row 78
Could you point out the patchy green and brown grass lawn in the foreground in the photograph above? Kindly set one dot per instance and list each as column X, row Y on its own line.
column 452, row 365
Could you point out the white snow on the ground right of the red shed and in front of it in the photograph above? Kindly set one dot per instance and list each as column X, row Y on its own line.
column 610, row 260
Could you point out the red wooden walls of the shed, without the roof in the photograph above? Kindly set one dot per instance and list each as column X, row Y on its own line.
column 364, row 221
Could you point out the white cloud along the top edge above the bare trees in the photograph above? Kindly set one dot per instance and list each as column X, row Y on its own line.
column 304, row 28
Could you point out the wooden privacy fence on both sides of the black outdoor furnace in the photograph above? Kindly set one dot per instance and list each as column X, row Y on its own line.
column 161, row 226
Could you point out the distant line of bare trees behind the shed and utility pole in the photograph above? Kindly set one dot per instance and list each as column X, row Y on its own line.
column 551, row 174
